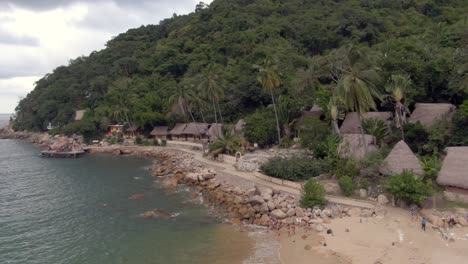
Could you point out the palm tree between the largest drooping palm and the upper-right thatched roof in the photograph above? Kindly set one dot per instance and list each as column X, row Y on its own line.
column 397, row 86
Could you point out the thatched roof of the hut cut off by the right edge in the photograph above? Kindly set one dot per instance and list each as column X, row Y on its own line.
column 454, row 170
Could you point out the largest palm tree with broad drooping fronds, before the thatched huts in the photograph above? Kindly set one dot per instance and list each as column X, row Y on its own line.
column 356, row 84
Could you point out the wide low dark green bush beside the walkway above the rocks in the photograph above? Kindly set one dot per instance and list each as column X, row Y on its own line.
column 295, row 168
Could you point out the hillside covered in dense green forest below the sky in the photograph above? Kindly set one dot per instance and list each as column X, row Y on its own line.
column 206, row 63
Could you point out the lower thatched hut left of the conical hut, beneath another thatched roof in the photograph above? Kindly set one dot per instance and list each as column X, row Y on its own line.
column 354, row 146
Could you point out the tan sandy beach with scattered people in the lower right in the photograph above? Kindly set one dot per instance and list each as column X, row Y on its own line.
column 393, row 239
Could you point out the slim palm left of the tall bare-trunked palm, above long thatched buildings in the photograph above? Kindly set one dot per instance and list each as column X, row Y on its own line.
column 210, row 86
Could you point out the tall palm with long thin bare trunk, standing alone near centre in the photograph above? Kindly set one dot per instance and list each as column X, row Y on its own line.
column 270, row 81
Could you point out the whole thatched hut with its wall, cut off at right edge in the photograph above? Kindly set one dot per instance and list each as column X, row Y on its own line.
column 454, row 174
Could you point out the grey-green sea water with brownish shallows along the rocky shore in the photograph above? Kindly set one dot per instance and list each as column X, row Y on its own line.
column 78, row 211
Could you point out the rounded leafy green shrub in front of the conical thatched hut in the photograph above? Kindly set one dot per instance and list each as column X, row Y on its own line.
column 406, row 186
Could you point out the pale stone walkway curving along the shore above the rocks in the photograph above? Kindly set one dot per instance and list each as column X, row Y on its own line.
column 229, row 169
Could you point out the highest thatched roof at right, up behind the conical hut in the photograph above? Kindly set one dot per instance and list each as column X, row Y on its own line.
column 429, row 114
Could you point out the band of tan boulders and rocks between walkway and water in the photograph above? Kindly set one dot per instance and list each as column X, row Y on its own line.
column 259, row 205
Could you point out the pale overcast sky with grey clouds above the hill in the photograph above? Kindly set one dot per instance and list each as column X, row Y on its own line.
column 38, row 35
